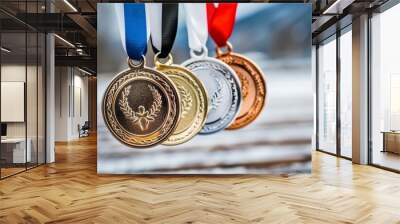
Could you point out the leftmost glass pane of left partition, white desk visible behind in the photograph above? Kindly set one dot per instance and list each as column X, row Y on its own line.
column 13, row 86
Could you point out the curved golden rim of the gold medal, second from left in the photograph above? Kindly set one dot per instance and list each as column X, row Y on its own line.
column 200, row 93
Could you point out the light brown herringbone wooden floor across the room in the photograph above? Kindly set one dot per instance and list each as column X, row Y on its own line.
column 70, row 191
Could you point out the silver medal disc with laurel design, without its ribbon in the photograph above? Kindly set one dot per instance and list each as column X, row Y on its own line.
column 223, row 87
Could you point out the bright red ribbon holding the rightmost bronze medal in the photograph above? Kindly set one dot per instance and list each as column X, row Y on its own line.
column 221, row 20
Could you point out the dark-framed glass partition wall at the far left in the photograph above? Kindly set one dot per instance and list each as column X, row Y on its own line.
column 22, row 77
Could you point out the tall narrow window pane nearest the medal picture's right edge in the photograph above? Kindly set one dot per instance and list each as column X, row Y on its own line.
column 327, row 96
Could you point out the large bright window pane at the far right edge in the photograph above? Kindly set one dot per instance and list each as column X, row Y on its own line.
column 386, row 89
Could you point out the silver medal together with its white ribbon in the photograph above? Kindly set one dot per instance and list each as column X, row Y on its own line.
column 221, row 82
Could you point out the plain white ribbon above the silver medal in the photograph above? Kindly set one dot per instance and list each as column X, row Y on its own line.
column 196, row 23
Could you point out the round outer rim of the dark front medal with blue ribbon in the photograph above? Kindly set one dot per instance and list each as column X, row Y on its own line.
column 175, row 118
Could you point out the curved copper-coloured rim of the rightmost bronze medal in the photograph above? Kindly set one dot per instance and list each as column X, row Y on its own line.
column 261, row 89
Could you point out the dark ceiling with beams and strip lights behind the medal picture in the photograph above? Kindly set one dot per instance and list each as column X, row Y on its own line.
column 74, row 21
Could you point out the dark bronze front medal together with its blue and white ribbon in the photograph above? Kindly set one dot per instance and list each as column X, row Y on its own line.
column 141, row 105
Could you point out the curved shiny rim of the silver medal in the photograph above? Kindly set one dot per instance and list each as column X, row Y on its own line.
column 236, row 83
